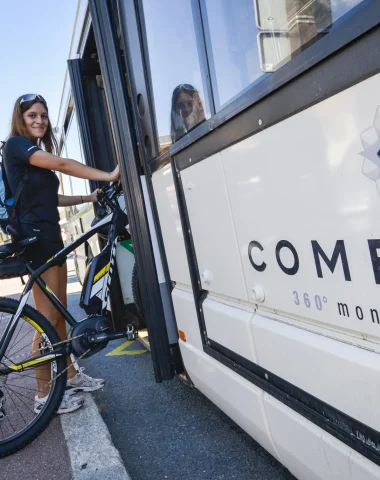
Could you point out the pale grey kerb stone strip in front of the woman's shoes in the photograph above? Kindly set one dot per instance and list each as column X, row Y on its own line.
column 91, row 451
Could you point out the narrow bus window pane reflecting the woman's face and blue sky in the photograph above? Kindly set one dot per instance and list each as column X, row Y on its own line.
column 178, row 86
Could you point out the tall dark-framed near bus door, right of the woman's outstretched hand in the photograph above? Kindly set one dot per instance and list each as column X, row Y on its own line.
column 132, row 150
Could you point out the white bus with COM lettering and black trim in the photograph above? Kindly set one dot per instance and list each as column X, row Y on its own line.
column 248, row 137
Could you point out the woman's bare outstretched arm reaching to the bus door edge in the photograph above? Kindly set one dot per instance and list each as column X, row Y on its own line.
column 71, row 167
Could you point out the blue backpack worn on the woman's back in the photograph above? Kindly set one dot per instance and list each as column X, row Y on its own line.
column 8, row 204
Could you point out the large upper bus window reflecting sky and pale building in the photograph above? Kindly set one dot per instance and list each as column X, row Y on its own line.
column 251, row 37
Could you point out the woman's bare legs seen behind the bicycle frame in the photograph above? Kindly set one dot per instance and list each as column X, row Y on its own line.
column 56, row 279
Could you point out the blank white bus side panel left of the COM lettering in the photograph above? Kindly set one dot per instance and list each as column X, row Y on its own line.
column 213, row 229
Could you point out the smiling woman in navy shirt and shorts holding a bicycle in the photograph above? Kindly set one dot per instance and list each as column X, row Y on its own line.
column 32, row 146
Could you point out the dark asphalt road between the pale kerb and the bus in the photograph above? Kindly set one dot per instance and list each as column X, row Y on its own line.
column 170, row 430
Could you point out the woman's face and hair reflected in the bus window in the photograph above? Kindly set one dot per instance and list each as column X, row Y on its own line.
column 186, row 112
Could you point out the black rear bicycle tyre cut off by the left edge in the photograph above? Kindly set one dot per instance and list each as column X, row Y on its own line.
column 42, row 420
